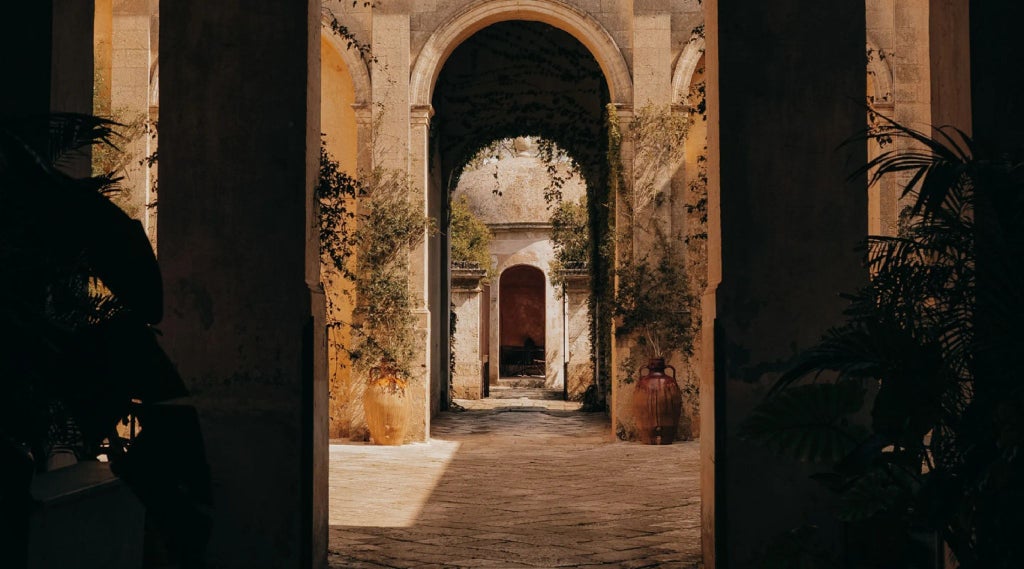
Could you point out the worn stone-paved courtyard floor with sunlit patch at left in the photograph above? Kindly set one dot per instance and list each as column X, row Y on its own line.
column 516, row 487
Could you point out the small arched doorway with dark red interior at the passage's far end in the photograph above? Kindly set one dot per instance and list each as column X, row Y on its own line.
column 523, row 322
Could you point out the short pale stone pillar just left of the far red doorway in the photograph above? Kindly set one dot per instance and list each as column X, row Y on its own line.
column 467, row 380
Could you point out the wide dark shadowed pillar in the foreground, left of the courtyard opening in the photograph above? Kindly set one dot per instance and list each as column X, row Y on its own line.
column 239, row 160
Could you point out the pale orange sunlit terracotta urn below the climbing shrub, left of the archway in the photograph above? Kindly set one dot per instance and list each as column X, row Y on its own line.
column 387, row 407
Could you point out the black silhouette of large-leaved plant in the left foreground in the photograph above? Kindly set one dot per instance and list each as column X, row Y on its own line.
column 83, row 293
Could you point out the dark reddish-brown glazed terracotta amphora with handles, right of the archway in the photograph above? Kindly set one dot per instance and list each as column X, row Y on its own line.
column 657, row 404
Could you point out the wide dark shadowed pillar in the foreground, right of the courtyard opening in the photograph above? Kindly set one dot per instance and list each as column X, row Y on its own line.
column 784, row 224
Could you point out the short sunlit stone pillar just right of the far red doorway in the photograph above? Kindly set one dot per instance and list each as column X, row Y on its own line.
column 581, row 369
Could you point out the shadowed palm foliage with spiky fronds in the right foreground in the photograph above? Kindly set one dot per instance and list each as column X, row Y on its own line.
column 932, row 341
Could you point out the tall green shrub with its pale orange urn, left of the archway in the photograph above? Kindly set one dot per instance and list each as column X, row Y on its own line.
column 374, row 256
